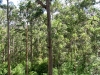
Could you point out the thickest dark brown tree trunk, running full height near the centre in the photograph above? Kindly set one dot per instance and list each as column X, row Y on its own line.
column 50, row 63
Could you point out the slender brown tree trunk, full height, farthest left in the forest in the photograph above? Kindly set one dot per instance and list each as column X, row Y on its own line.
column 8, row 38
